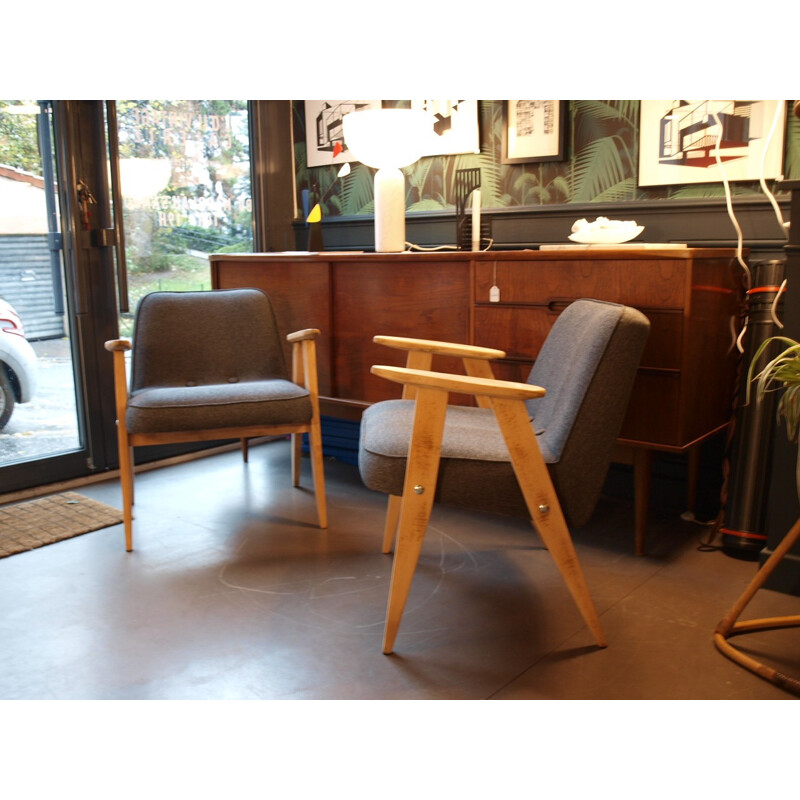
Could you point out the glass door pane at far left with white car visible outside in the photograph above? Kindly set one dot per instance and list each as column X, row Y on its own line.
column 41, row 419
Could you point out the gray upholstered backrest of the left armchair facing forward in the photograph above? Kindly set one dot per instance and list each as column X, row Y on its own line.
column 201, row 338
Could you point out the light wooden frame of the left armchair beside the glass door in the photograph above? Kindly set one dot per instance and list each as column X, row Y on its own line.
column 304, row 373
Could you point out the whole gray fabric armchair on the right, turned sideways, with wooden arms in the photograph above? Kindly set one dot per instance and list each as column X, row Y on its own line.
column 540, row 449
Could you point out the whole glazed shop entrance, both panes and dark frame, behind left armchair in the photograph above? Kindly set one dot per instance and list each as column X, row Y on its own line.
column 101, row 202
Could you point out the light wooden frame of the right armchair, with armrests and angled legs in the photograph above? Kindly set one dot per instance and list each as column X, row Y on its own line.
column 431, row 391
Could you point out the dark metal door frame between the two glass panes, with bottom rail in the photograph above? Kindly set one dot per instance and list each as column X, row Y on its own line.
column 80, row 171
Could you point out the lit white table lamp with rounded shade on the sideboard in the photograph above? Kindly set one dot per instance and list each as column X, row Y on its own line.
column 388, row 139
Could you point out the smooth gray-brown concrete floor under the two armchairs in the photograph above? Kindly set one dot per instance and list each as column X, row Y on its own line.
column 232, row 592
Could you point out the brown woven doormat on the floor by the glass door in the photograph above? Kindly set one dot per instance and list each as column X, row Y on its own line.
column 35, row 523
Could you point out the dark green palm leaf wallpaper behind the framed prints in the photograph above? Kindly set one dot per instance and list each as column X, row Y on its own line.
column 601, row 167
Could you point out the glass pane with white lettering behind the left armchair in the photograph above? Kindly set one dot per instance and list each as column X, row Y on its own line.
column 184, row 180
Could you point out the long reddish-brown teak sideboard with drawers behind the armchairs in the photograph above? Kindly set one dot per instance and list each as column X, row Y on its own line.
column 684, row 387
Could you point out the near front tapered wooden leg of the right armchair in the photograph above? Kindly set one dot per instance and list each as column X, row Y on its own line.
column 419, row 490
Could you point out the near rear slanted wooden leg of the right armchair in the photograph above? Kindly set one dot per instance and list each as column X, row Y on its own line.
column 543, row 506
